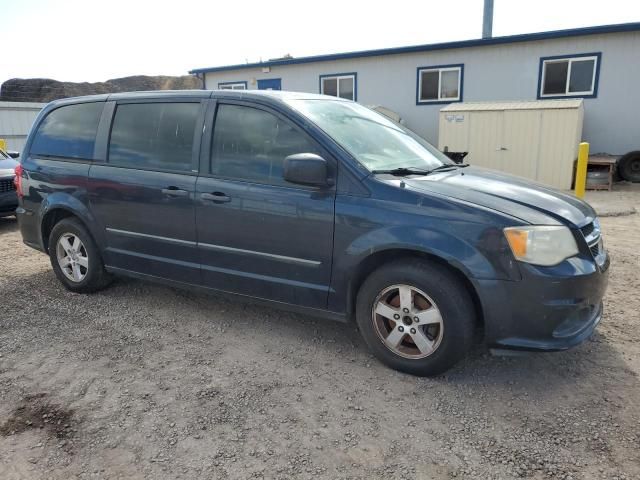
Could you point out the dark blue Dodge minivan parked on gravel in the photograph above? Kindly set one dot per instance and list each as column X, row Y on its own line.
column 313, row 204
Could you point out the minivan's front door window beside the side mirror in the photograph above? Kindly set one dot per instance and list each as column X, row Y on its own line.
column 251, row 144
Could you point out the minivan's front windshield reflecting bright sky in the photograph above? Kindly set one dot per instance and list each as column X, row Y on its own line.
column 375, row 141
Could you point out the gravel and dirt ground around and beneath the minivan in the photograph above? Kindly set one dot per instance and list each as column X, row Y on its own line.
column 143, row 381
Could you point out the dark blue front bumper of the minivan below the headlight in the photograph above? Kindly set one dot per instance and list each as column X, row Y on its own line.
column 550, row 309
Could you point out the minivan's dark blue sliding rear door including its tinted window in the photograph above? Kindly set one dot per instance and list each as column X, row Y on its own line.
column 143, row 195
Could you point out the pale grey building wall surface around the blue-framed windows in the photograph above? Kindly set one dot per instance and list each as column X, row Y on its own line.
column 491, row 73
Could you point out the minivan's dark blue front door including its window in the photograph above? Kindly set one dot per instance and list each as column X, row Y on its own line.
column 259, row 235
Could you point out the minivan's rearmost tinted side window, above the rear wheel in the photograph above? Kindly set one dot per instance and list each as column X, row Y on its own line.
column 68, row 131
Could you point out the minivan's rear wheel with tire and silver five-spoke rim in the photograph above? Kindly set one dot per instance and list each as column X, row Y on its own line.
column 84, row 255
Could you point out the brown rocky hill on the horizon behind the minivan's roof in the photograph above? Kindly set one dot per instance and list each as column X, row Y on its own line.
column 45, row 90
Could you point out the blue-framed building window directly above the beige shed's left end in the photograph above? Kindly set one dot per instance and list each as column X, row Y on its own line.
column 440, row 84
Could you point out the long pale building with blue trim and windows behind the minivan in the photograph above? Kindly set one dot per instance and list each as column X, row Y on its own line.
column 599, row 64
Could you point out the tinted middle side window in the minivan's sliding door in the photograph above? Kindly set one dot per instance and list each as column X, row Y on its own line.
column 155, row 136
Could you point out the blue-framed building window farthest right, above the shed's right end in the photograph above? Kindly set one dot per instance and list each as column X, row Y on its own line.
column 575, row 76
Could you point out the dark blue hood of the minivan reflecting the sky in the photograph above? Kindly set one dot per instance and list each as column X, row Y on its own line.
column 515, row 196
